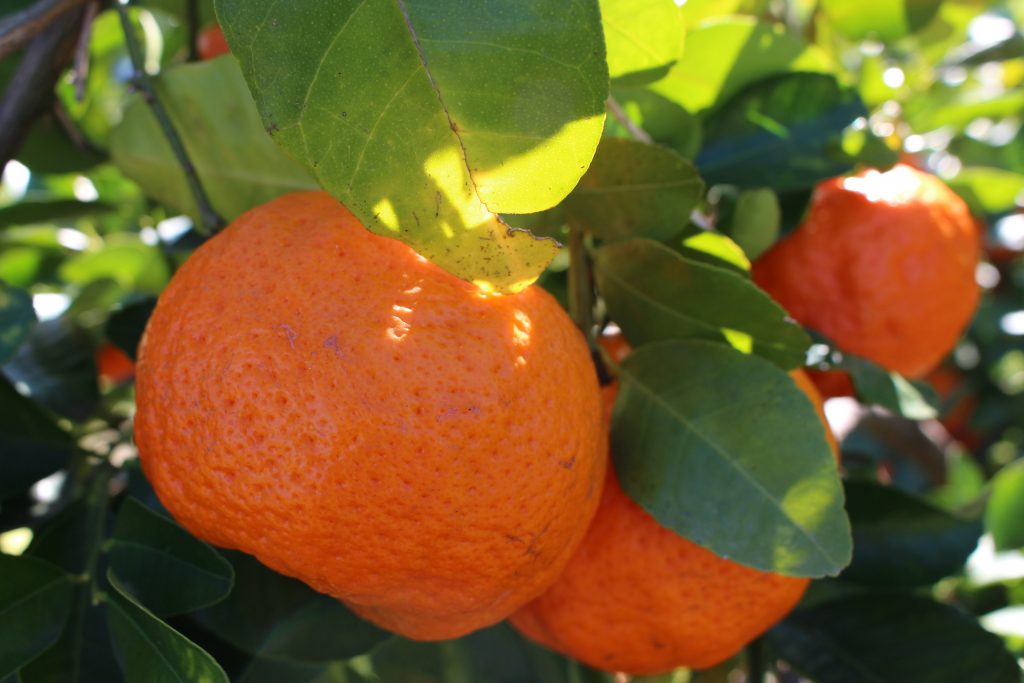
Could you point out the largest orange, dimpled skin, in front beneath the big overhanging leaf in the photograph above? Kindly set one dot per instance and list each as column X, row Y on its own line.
column 331, row 403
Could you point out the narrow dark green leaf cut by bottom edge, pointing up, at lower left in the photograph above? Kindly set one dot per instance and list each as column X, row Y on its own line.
column 151, row 651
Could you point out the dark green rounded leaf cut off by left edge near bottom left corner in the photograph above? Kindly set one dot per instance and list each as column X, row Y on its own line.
column 35, row 601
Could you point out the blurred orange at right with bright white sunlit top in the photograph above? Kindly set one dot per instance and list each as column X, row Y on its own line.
column 884, row 266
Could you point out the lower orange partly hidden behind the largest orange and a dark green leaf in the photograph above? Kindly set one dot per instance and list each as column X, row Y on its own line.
column 639, row 599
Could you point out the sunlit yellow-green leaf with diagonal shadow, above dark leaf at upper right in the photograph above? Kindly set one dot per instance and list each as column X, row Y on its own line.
column 723, row 57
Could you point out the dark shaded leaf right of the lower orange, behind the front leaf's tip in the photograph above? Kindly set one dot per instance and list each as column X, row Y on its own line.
column 901, row 541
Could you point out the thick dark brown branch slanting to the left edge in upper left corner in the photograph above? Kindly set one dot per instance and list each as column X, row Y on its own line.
column 31, row 89
